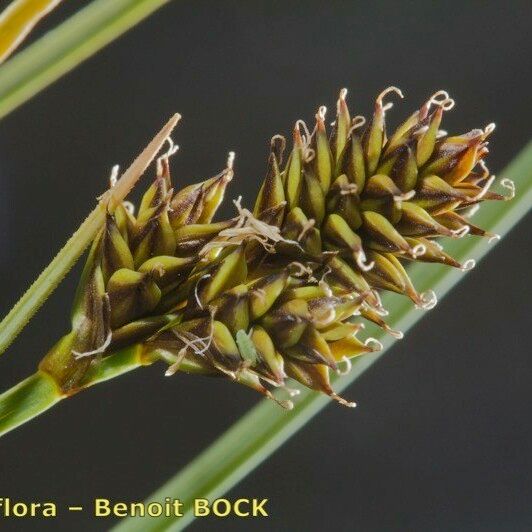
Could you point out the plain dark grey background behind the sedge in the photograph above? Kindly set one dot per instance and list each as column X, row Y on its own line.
column 442, row 437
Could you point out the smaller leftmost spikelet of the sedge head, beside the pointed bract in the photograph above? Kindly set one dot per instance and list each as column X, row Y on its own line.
column 133, row 270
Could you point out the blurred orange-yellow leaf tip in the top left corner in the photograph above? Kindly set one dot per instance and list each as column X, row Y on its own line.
column 18, row 19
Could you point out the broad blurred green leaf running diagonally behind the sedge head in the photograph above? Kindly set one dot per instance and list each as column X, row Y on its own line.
column 266, row 427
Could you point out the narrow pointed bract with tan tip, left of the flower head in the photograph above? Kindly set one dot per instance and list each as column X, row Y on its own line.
column 52, row 275
